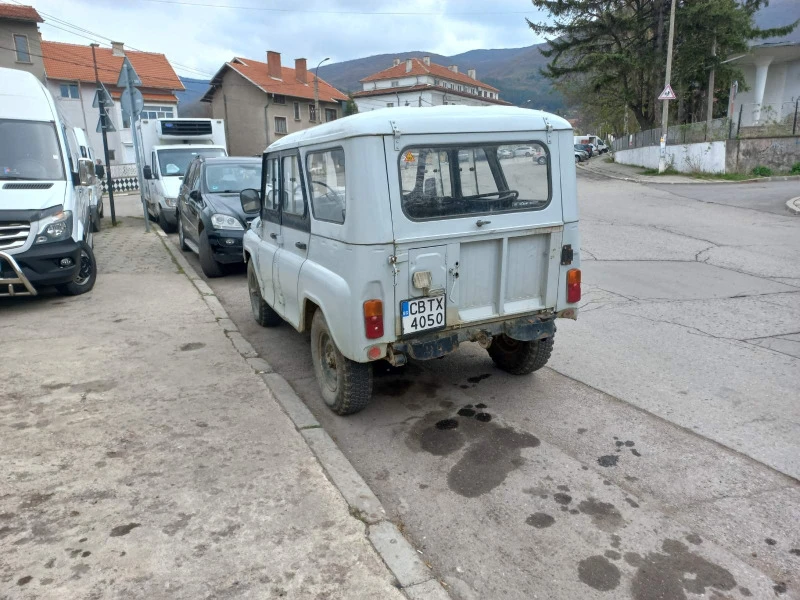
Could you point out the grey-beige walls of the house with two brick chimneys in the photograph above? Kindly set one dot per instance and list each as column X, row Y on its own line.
column 242, row 105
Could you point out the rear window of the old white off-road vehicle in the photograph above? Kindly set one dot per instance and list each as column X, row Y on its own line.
column 453, row 181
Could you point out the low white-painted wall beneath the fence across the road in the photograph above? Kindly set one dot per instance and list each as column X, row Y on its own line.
column 706, row 157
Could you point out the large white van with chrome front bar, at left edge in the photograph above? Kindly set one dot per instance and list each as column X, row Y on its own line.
column 45, row 228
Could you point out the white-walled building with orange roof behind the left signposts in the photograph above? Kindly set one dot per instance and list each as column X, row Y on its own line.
column 71, row 80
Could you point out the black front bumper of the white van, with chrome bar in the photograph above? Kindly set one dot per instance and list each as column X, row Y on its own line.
column 21, row 273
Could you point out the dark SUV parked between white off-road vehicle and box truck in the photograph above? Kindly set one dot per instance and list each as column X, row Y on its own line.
column 211, row 222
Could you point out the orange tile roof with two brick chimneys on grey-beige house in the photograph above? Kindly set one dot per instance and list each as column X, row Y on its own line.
column 256, row 72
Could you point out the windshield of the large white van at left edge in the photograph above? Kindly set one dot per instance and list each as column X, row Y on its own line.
column 29, row 150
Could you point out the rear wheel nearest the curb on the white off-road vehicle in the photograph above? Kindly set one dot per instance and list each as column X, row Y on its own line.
column 346, row 385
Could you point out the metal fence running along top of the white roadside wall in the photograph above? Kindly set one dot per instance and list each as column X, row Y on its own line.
column 750, row 121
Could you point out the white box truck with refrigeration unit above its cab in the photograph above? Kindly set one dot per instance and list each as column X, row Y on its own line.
column 167, row 148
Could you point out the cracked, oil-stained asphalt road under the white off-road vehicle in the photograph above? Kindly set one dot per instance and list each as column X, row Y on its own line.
column 659, row 455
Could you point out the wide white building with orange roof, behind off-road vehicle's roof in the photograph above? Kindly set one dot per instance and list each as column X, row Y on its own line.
column 419, row 82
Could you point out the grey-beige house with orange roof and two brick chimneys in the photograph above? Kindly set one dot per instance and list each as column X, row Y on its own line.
column 261, row 101
